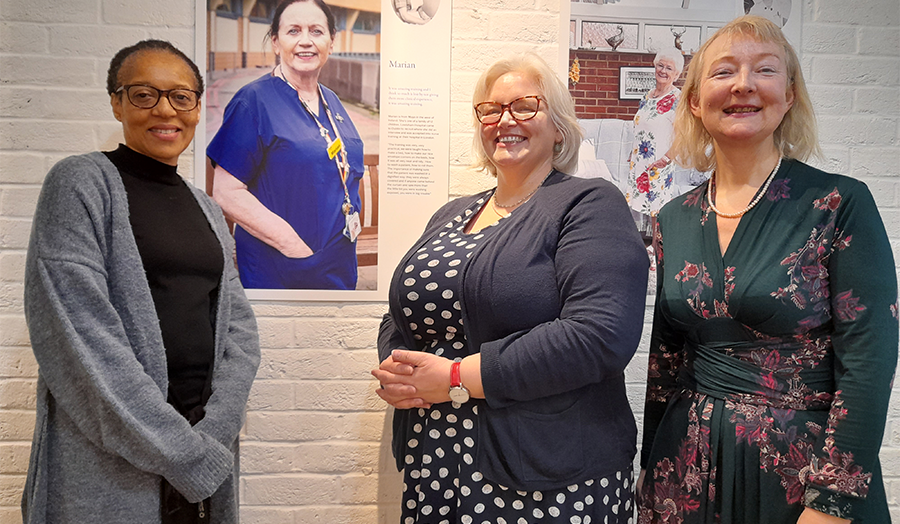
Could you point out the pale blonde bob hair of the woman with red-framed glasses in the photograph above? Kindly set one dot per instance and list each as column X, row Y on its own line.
column 556, row 101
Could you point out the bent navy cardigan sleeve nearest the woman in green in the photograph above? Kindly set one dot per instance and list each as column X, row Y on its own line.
column 592, row 300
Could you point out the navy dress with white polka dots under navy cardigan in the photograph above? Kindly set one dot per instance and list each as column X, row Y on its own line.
column 440, row 482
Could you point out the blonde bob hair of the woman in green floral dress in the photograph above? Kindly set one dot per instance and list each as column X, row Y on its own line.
column 796, row 136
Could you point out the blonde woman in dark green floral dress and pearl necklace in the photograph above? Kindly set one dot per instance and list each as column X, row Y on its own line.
column 775, row 331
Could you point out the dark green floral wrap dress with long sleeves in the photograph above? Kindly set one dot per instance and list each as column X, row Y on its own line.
column 771, row 367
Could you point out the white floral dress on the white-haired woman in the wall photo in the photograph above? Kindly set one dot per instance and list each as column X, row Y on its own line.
column 648, row 188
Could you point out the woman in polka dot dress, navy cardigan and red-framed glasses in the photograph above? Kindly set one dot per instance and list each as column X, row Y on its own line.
column 511, row 321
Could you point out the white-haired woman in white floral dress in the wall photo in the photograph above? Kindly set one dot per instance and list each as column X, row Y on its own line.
column 649, row 185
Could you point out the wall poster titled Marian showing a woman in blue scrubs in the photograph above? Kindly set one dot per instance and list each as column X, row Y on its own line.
column 357, row 204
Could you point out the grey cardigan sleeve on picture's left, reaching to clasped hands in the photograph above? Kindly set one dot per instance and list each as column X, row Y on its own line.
column 96, row 365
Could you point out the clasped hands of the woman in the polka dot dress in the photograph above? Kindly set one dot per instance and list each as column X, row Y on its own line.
column 413, row 379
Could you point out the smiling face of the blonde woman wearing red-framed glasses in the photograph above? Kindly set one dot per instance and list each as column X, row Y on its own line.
column 519, row 148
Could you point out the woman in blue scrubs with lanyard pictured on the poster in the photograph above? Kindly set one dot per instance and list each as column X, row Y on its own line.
column 288, row 163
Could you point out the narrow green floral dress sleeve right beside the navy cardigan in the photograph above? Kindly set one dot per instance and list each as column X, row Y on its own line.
column 666, row 356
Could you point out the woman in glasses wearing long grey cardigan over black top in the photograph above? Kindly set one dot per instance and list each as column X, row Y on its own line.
column 146, row 343
